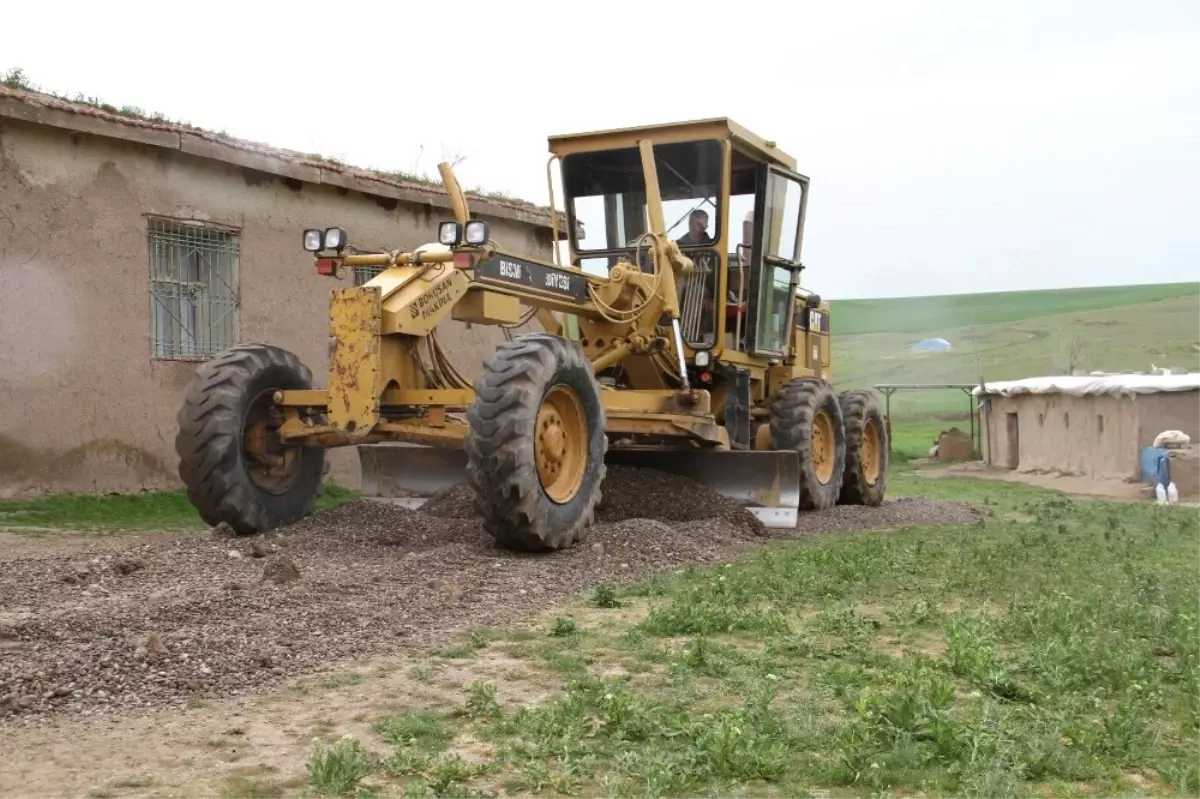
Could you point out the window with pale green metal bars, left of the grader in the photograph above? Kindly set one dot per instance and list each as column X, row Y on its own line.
column 194, row 290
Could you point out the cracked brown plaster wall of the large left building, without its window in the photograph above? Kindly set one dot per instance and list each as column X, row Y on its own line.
column 87, row 408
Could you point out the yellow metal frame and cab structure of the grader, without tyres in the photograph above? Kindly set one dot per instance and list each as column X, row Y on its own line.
column 389, row 382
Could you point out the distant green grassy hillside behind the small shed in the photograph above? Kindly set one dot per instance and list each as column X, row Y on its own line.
column 1010, row 337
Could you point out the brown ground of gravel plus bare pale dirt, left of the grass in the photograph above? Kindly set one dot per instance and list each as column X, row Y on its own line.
column 124, row 659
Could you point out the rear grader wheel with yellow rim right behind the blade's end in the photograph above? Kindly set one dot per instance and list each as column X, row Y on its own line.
column 796, row 425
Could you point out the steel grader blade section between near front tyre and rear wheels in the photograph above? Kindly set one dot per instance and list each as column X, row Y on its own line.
column 767, row 483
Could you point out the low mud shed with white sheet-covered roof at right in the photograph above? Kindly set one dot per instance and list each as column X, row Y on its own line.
column 1093, row 426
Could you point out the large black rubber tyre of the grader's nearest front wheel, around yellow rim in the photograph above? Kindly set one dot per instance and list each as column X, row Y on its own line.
column 502, row 458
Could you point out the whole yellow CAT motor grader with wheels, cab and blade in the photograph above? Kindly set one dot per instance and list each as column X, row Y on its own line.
column 697, row 355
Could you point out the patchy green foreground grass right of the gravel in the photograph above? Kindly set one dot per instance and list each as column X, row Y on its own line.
column 1052, row 650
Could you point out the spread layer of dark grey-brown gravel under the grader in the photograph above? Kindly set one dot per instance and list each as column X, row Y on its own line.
column 112, row 629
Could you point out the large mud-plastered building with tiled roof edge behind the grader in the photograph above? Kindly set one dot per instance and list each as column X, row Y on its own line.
column 131, row 250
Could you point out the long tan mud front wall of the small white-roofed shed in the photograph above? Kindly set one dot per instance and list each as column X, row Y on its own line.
column 1094, row 436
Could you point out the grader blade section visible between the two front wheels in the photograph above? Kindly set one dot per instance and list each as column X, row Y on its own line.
column 410, row 474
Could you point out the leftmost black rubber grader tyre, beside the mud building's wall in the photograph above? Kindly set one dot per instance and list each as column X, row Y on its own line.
column 213, row 460
